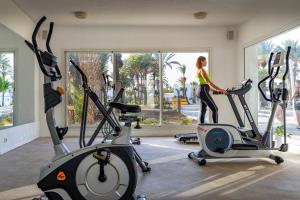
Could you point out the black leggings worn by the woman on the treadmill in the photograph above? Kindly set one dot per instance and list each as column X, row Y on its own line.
column 206, row 100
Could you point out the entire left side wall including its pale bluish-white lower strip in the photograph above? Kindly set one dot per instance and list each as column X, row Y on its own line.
column 16, row 26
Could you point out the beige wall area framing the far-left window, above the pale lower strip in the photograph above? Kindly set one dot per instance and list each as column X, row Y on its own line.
column 24, row 75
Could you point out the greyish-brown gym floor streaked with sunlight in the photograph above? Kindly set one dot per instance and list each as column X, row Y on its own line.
column 173, row 175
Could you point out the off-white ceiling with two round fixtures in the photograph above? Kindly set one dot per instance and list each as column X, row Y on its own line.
column 146, row 12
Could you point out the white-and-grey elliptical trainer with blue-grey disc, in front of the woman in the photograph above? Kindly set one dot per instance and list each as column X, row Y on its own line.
column 228, row 141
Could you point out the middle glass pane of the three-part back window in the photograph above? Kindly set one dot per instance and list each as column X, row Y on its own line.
column 139, row 74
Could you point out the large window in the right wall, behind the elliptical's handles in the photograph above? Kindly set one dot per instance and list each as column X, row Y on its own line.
column 256, row 66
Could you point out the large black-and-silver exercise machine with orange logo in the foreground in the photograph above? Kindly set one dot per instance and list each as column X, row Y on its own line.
column 103, row 171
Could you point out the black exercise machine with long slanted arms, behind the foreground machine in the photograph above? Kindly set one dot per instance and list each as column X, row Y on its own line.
column 110, row 133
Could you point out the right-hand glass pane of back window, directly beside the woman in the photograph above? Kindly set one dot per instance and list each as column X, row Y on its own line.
column 180, row 82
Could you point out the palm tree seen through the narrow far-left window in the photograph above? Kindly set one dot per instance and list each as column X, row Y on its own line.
column 5, row 69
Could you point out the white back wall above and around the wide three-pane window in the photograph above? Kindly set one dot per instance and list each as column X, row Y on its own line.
column 132, row 38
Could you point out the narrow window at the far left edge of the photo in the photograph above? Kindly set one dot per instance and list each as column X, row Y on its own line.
column 6, row 88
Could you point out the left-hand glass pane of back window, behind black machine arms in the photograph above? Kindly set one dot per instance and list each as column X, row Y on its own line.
column 94, row 65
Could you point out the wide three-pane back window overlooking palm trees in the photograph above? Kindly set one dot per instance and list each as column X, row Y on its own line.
column 139, row 74
